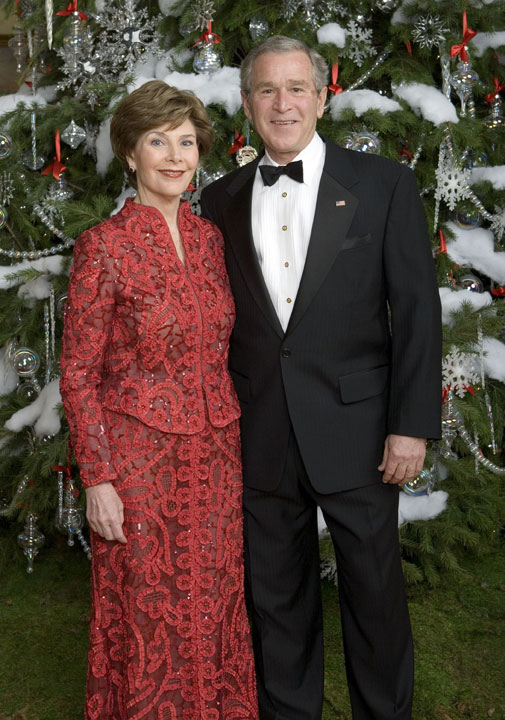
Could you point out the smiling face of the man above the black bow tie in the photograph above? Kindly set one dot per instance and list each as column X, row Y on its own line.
column 283, row 103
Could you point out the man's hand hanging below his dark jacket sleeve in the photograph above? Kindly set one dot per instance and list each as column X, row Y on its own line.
column 403, row 458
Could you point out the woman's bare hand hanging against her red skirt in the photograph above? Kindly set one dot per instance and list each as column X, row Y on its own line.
column 104, row 511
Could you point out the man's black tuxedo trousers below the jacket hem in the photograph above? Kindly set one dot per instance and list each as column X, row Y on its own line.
column 283, row 588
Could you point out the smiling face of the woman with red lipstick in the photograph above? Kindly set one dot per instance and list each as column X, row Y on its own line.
column 165, row 161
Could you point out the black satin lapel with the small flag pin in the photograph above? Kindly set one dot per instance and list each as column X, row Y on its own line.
column 335, row 210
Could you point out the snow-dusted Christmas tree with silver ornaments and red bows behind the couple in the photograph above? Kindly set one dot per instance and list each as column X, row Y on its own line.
column 418, row 81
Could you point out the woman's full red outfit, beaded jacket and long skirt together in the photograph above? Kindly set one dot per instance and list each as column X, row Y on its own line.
column 152, row 409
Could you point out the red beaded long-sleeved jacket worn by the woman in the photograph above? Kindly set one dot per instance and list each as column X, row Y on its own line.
column 145, row 334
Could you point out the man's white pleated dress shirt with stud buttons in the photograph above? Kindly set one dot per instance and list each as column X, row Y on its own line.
column 282, row 217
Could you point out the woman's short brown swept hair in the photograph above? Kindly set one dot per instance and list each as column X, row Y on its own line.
column 154, row 104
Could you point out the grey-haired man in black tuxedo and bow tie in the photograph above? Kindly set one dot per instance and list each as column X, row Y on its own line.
column 335, row 357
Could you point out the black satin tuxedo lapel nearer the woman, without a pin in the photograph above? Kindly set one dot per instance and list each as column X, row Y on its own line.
column 239, row 236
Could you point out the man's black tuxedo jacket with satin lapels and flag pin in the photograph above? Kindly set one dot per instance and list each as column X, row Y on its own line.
column 361, row 356
